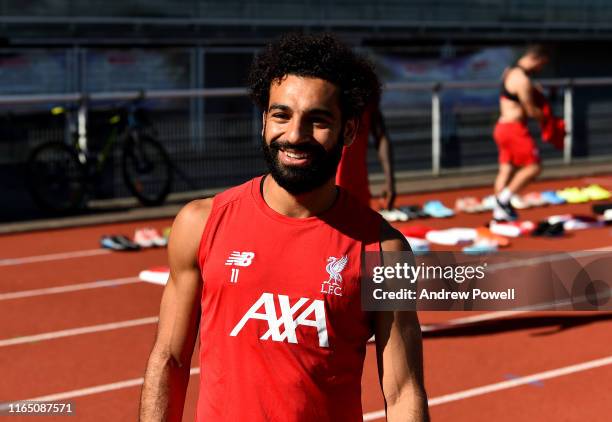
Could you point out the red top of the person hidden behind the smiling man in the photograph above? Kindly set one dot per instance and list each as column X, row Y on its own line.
column 352, row 172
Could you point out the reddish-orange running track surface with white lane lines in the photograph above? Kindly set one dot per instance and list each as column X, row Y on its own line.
column 457, row 359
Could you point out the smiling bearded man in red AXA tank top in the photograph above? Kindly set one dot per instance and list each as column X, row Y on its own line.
column 269, row 270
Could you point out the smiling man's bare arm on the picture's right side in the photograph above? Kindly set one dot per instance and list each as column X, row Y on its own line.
column 399, row 353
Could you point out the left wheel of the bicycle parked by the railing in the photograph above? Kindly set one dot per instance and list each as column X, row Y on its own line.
column 55, row 177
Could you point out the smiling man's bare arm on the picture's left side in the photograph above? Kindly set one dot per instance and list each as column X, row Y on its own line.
column 167, row 374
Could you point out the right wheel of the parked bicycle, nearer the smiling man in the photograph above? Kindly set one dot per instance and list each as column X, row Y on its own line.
column 147, row 170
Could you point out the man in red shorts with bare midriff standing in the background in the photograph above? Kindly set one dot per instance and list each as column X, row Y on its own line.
column 519, row 159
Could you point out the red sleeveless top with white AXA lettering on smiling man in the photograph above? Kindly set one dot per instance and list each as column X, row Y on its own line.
column 282, row 333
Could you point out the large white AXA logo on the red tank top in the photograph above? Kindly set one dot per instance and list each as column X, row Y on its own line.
column 283, row 327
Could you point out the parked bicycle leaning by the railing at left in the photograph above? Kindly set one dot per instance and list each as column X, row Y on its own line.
column 59, row 174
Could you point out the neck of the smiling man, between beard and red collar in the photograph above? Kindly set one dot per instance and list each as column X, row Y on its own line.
column 299, row 206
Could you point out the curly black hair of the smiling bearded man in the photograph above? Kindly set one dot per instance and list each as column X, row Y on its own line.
column 320, row 56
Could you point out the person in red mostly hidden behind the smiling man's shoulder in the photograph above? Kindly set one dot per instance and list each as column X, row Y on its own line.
column 352, row 172
